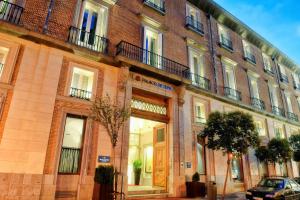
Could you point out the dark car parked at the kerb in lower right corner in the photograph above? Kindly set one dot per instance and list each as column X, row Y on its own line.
column 274, row 188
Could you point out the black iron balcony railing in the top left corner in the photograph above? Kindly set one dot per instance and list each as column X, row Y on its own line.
column 10, row 12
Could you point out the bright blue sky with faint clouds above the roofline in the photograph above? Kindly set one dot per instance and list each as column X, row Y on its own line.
column 276, row 20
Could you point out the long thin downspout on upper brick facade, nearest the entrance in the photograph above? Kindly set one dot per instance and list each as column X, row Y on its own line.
column 212, row 53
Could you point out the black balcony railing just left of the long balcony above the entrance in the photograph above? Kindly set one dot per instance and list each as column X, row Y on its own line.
column 88, row 40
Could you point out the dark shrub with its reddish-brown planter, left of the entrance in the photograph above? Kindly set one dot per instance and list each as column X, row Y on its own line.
column 104, row 178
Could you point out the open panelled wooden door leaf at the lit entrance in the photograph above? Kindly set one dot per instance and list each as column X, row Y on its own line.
column 160, row 158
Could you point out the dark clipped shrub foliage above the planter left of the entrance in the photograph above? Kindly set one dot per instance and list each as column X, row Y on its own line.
column 104, row 174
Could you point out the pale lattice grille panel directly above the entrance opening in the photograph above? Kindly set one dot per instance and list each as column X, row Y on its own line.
column 149, row 107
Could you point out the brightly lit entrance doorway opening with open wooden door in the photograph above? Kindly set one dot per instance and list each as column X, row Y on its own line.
column 148, row 144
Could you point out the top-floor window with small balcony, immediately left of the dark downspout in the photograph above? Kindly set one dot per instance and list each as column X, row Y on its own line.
column 193, row 20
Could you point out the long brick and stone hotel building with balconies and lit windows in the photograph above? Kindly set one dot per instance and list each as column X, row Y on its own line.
column 172, row 61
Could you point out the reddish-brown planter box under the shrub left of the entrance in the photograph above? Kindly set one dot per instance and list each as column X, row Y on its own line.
column 102, row 192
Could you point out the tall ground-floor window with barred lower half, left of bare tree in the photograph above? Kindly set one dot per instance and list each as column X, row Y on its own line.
column 70, row 156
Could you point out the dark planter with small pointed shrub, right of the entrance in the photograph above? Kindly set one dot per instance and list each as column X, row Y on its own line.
column 195, row 188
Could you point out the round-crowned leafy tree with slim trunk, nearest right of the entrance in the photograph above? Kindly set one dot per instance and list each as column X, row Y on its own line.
column 231, row 133
